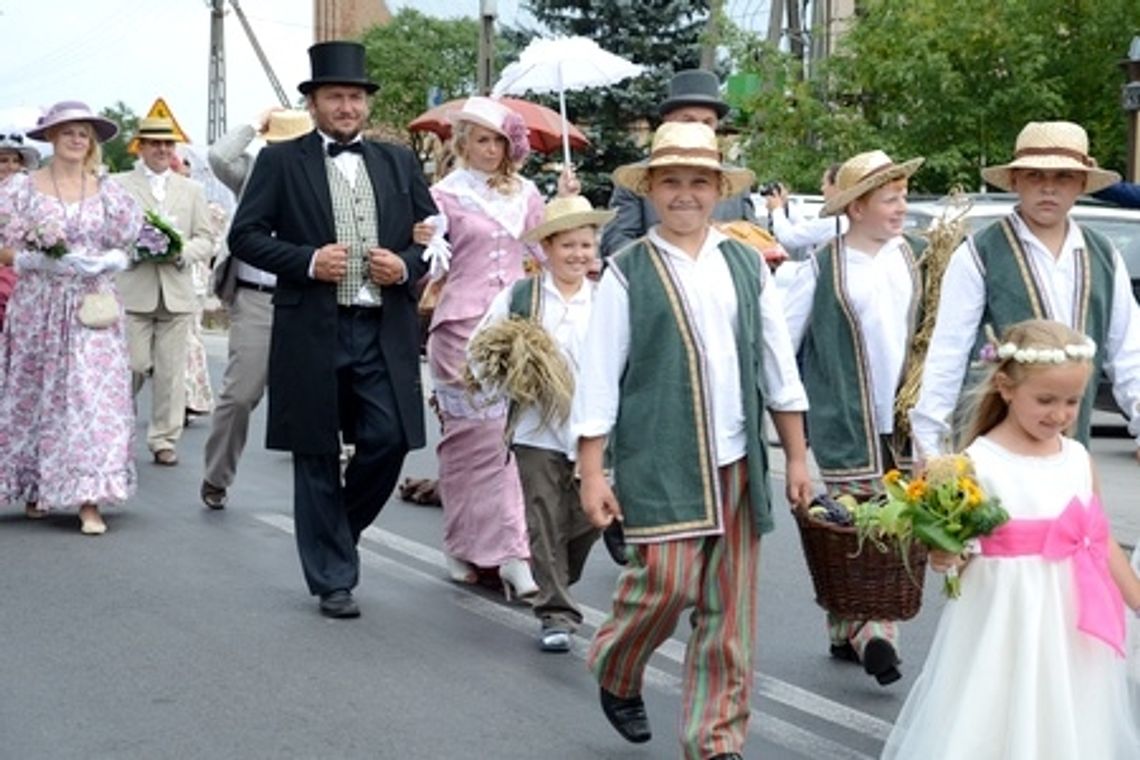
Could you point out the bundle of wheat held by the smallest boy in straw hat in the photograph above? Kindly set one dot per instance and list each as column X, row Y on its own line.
column 516, row 358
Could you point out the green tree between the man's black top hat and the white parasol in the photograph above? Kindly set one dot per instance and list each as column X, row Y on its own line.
column 413, row 54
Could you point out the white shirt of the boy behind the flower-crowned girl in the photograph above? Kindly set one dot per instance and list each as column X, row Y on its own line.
column 960, row 308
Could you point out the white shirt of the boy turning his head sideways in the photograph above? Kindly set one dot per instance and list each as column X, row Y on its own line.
column 881, row 291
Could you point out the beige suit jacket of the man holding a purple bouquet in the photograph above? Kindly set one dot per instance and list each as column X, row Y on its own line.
column 185, row 207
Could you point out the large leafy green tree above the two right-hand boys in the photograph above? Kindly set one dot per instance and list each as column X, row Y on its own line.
column 954, row 83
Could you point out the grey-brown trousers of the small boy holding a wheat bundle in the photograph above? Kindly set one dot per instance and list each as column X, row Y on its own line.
column 560, row 535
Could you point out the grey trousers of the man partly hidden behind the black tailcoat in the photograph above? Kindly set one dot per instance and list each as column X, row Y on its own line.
column 251, row 318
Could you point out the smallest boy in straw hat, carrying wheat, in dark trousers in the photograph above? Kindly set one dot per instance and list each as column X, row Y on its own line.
column 550, row 313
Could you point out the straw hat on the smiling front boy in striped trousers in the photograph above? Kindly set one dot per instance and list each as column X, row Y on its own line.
column 683, row 144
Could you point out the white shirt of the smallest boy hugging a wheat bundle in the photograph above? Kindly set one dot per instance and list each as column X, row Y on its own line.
column 566, row 321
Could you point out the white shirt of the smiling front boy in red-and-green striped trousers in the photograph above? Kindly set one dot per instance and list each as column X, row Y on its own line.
column 707, row 289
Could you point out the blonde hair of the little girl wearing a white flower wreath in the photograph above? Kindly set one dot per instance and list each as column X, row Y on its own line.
column 987, row 405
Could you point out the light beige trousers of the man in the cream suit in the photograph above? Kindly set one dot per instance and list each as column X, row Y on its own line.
column 157, row 342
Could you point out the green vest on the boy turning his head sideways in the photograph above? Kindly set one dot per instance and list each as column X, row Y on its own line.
column 837, row 373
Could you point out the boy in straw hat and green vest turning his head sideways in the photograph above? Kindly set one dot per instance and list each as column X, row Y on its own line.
column 853, row 308
